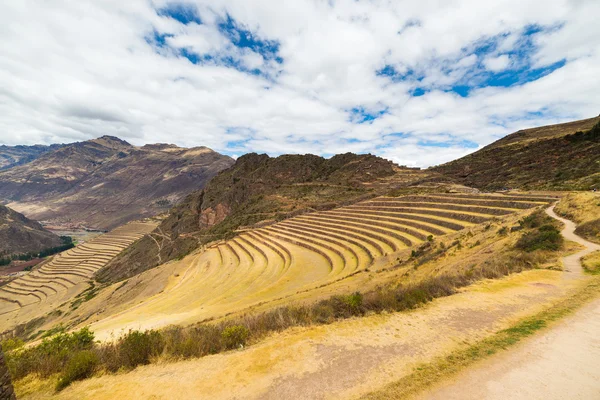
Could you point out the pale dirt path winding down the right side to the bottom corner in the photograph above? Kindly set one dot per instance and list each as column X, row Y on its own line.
column 559, row 364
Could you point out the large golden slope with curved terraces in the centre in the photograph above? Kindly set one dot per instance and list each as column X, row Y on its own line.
column 307, row 252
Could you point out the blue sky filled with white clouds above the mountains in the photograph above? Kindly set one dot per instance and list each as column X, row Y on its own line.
column 418, row 82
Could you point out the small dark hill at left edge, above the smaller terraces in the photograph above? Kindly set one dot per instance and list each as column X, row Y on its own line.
column 19, row 234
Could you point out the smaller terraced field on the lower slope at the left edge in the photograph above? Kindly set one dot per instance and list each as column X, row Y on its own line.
column 69, row 268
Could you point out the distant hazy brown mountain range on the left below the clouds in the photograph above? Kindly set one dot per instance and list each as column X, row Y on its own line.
column 105, row 182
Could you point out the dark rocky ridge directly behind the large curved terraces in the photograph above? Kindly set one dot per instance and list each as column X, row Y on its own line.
column 260, row 189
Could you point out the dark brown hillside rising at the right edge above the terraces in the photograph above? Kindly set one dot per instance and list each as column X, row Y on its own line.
column 555, row 157
